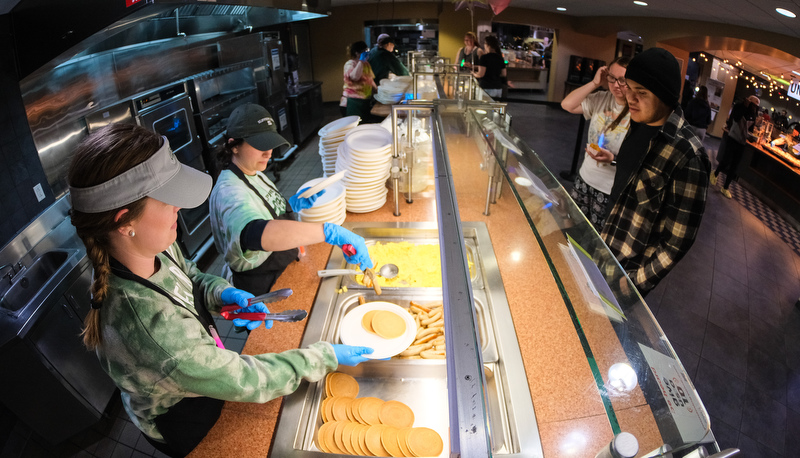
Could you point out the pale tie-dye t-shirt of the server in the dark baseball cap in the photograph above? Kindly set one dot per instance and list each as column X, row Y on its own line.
column 233, row 205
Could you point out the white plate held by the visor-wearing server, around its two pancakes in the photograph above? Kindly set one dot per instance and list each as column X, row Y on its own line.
column 352, row 333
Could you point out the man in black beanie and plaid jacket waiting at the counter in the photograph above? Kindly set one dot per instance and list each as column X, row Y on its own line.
column 659, row 191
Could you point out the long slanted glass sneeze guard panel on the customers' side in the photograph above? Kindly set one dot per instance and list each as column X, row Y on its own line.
column 610, row 318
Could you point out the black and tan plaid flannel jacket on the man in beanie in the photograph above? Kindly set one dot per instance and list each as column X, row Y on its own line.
column 655, row 220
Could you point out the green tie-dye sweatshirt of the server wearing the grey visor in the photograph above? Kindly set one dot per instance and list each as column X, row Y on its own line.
column 158, row 353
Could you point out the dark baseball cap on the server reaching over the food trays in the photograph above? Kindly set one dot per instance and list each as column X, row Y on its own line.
column 254, row 124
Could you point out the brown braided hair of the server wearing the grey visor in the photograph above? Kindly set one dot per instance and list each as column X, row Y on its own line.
column 106, row 153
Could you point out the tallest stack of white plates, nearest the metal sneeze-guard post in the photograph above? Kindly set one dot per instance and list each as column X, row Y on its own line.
column 366, row 156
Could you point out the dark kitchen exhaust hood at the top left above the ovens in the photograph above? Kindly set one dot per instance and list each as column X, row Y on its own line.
column 48, row 33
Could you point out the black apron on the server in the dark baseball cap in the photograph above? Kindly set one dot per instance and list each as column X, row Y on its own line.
column 261, row 279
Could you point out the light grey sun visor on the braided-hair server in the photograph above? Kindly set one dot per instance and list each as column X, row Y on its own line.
column 161, row 177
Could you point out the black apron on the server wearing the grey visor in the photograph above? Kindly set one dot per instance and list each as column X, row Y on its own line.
column 186, row 423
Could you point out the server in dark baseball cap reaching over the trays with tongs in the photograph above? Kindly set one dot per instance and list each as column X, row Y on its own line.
column 251, row 222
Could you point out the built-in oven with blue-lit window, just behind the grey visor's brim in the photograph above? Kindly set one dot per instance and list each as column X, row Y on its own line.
column 168, row 111
